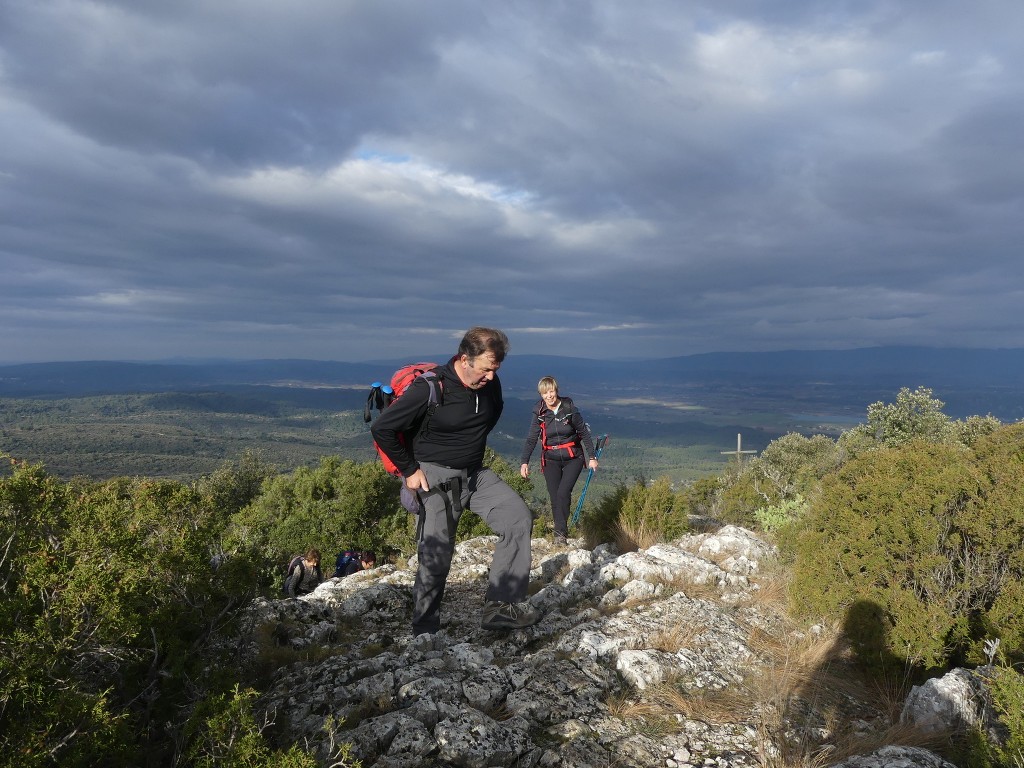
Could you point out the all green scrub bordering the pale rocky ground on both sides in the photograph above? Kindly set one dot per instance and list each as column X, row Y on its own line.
column 905, row 531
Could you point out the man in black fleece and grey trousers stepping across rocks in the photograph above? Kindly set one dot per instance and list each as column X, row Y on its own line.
column 441, row 457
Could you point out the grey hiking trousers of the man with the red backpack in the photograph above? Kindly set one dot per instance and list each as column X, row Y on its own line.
column 503, row 509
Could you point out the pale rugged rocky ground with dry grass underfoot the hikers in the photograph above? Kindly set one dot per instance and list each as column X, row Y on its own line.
column 676, row 656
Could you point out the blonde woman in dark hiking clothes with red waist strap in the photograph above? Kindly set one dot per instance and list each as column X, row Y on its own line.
column 566, row 446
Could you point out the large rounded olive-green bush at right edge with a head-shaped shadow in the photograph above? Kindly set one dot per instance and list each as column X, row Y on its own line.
column 927, row 534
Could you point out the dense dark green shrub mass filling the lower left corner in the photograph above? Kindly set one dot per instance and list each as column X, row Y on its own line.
column 109, row 617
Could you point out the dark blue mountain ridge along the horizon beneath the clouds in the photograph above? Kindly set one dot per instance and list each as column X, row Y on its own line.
column 886, row 367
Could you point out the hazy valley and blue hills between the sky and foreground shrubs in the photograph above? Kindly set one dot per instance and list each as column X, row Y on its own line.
column 674, row 417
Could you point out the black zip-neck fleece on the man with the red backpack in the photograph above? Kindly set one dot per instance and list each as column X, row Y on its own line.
column 456, row 435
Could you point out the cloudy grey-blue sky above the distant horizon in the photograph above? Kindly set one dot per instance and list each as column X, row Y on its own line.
column 330, row 180
